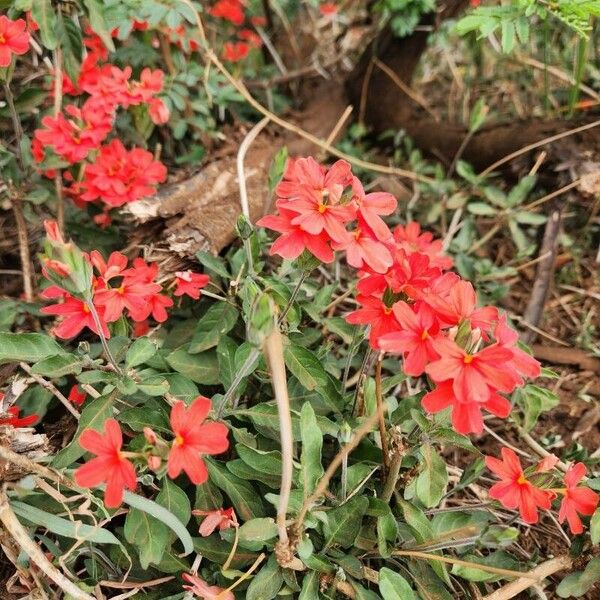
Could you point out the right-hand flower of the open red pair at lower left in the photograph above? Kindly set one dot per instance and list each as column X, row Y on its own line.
column 193, row 439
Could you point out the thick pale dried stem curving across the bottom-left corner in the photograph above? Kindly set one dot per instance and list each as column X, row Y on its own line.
column 27, row 545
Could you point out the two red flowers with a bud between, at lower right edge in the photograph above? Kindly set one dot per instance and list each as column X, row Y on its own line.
column 516, row 489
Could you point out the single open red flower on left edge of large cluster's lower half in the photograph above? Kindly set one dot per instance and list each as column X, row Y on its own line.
column 414, row 339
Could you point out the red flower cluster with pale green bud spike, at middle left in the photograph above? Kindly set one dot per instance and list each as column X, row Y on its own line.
column 117, row 288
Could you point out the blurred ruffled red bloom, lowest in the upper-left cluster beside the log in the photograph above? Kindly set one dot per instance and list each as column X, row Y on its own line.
column 119, row 176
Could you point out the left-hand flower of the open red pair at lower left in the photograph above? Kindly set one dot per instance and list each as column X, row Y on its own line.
column 109, row 466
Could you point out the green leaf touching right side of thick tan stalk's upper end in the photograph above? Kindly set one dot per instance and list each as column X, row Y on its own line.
column 309, row 371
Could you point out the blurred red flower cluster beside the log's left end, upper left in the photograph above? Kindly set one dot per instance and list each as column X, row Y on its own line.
column 111, row 174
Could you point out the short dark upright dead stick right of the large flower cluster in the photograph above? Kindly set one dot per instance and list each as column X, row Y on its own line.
column 535, row 307
